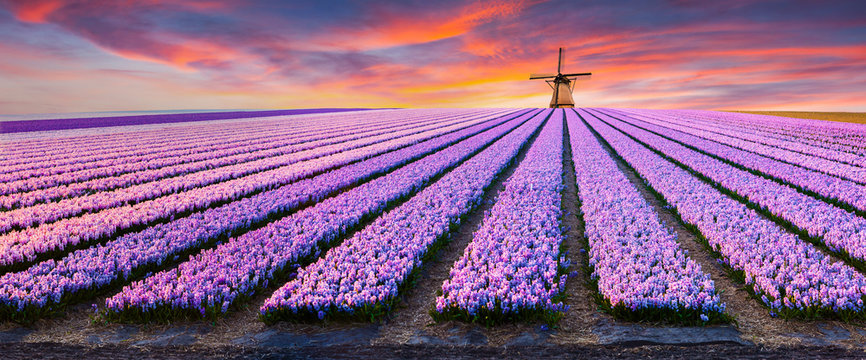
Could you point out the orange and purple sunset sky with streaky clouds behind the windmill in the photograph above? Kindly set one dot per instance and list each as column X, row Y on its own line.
column 65, row 56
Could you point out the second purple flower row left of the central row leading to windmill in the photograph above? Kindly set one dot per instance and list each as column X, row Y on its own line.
column 212, row 281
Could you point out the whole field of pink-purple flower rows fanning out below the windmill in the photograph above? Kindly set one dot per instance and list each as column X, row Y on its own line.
column 333, row 216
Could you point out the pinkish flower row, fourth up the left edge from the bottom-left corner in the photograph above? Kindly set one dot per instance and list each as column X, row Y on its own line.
column 66, row 185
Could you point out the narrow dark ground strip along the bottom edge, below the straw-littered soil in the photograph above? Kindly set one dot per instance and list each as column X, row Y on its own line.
column 725, row 351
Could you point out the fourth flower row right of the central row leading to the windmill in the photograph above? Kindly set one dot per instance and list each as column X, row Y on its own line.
column 844, row 192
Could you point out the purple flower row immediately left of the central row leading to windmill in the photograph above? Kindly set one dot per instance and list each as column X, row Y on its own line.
column 364, row 274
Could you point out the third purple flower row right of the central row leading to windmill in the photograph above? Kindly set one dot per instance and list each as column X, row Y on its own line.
column 840, row 230
